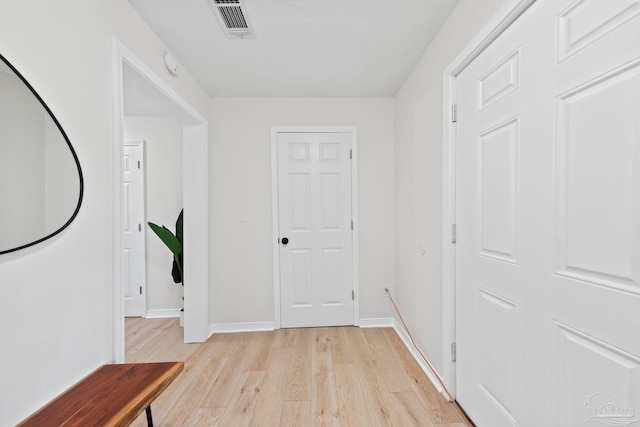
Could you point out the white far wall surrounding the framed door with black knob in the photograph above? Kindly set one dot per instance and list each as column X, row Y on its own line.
column 240, row 178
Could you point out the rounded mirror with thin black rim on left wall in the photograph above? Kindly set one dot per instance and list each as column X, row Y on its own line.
column 41, row 184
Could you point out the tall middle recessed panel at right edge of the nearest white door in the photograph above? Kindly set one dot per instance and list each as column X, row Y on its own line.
column 598, row 180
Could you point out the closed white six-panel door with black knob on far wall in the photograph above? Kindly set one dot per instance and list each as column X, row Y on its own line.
column 314, row 204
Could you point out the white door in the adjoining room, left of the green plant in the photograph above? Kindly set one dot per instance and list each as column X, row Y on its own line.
column 133, row 231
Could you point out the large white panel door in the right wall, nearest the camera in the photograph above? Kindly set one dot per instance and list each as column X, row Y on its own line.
column 548, row 220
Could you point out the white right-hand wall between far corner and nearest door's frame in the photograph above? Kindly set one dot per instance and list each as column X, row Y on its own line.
column 418, row 176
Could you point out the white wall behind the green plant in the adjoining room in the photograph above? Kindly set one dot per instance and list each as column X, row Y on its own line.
column 163, row 201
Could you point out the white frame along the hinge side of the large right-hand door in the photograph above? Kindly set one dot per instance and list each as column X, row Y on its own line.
column 503, row 19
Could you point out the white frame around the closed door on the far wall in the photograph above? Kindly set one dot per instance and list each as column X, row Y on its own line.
column 275, row 211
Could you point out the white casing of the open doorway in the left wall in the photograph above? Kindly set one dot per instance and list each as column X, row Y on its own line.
column 195, row 200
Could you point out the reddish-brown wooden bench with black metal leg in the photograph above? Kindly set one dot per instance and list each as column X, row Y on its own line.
column 112, row 395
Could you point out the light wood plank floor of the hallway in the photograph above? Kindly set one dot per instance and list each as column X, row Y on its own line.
column 343, row 376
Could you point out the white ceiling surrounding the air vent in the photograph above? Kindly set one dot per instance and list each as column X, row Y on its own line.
column 302, row 48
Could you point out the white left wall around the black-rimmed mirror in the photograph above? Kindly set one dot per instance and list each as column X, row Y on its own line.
column 56, row 298
